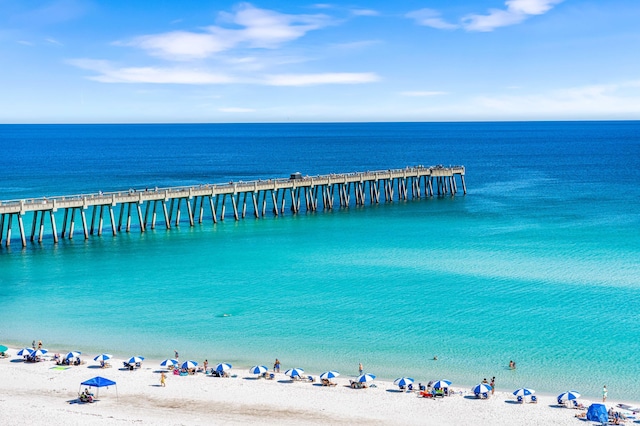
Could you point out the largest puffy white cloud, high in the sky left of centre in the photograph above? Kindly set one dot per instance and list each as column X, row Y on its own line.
column 250, row 26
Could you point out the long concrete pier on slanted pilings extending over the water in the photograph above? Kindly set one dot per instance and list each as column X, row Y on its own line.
column 261, row 196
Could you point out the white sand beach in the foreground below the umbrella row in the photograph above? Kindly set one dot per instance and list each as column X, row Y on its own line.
column 37, row 394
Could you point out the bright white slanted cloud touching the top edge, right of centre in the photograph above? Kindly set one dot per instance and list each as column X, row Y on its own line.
column 516, row 12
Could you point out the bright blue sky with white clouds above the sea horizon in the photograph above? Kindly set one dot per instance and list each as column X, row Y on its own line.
column 77, row 61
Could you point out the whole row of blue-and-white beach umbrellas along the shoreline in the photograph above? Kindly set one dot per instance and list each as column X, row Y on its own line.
column 298, row 373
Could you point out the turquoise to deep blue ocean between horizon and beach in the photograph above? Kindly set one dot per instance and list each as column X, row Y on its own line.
column 539, row 263
